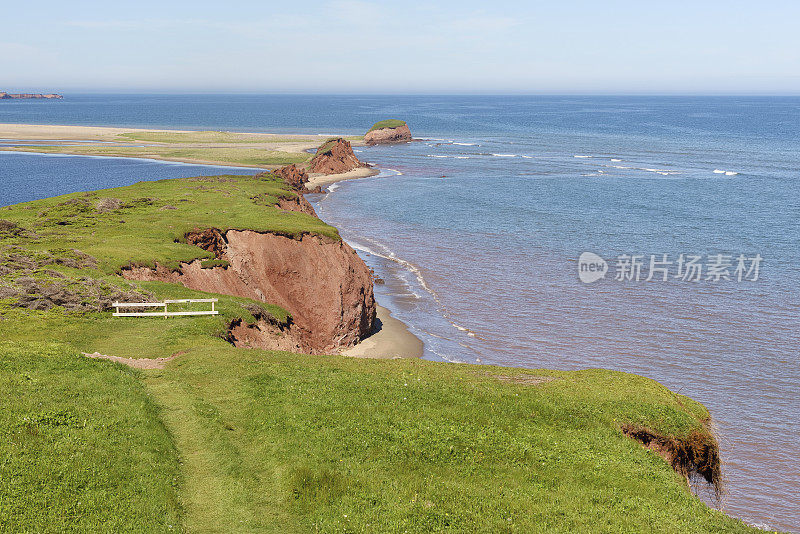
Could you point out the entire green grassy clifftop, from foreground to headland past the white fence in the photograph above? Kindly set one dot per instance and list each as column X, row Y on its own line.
column 236, row 440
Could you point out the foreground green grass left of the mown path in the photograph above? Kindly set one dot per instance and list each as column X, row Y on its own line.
column 82, row 446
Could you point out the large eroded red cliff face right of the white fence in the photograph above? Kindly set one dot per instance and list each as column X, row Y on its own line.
column 323, row 283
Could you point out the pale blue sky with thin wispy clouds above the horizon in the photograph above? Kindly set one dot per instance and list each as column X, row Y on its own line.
column 357, row 46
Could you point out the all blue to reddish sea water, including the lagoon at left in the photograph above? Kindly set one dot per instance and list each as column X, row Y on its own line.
column 478, row 228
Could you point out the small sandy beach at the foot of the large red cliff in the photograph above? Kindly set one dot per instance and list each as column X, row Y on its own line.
column 390, row 339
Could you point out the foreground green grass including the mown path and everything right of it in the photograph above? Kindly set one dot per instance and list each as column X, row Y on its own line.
column 342, row 445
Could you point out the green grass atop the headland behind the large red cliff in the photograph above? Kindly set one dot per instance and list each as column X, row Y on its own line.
column 154, row 215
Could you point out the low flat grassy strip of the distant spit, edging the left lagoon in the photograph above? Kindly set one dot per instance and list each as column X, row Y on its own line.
column 248, row 157
